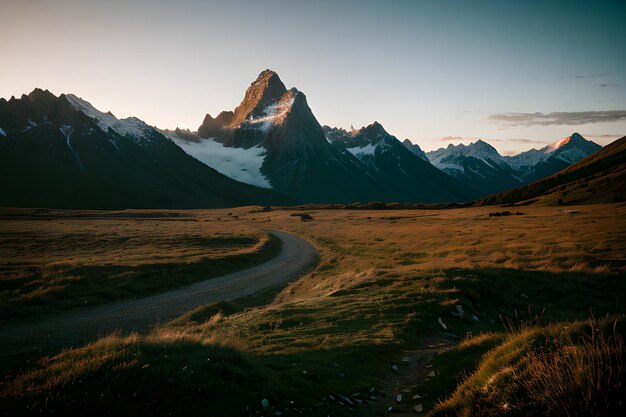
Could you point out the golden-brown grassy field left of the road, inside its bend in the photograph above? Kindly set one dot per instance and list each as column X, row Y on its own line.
column 74, row 260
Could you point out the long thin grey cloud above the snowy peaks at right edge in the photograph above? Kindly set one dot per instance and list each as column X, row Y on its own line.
column 558, row 118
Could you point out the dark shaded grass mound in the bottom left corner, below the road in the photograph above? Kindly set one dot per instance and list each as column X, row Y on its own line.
column 136, row 375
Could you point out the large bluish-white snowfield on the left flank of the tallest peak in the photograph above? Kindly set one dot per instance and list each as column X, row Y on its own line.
column 240, row 164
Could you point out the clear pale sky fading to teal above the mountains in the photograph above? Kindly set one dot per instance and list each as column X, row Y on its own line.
column 515, row 74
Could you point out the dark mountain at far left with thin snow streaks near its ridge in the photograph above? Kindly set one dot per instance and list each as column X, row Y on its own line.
column 61, row 152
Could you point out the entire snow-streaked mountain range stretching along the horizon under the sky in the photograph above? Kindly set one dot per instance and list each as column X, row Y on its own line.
column 62, row 152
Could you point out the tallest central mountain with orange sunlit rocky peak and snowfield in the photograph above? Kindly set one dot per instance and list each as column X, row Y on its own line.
column 272, row 139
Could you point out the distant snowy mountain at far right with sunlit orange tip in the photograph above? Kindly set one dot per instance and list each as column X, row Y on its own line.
column 536, row 164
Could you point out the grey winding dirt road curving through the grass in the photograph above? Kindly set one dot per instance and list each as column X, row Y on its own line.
column 26, row 341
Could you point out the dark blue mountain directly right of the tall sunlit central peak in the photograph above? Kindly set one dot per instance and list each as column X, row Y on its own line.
column 395, row 166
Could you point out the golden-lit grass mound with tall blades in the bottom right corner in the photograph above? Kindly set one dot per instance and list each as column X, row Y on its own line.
column 564, row 369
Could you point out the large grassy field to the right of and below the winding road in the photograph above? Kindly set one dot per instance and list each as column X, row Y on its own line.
column 327, row 342
